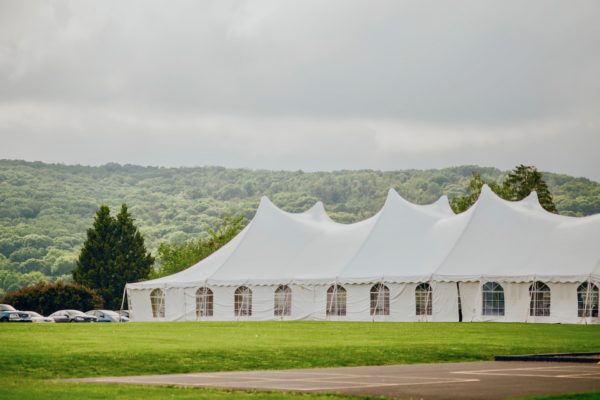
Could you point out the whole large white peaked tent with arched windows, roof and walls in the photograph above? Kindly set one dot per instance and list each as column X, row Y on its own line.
column 498, row 261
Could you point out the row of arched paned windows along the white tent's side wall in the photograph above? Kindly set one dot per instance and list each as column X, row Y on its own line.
column 492, row 300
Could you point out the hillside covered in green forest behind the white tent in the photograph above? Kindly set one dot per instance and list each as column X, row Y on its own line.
column 45, row 209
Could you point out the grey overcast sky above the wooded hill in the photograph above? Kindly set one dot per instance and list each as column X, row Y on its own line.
column 312, row 85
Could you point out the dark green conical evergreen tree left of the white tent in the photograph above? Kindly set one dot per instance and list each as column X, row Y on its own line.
column 112, row 255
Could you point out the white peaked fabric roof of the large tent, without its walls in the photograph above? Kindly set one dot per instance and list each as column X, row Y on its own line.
column 403, row 243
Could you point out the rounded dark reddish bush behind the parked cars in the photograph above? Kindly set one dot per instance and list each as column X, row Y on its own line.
column 45, row 298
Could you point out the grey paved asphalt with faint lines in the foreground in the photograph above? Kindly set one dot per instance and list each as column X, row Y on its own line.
column 473, row 380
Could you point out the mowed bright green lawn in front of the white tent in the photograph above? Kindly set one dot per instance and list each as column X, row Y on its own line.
column 32, row 354
